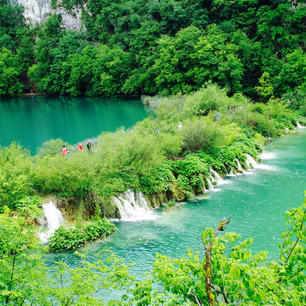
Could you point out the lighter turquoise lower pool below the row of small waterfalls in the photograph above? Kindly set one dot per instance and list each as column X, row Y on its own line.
column 256, row 202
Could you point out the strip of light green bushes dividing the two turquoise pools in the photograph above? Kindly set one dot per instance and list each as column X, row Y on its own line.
column 171, row 156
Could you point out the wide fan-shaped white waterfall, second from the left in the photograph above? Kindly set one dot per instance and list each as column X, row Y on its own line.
column 133, row 207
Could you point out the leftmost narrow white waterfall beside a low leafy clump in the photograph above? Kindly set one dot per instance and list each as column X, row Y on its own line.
column 54, row 220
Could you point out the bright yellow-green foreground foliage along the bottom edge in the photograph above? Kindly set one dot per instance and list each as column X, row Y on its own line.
column 228, row 273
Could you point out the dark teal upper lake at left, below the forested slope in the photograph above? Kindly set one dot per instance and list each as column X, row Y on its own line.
column 34, row 120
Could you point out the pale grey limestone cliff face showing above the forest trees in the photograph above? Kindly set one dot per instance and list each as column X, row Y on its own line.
column 36, row 10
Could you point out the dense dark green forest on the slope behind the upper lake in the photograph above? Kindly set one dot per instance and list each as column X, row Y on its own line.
column 129, row 48
